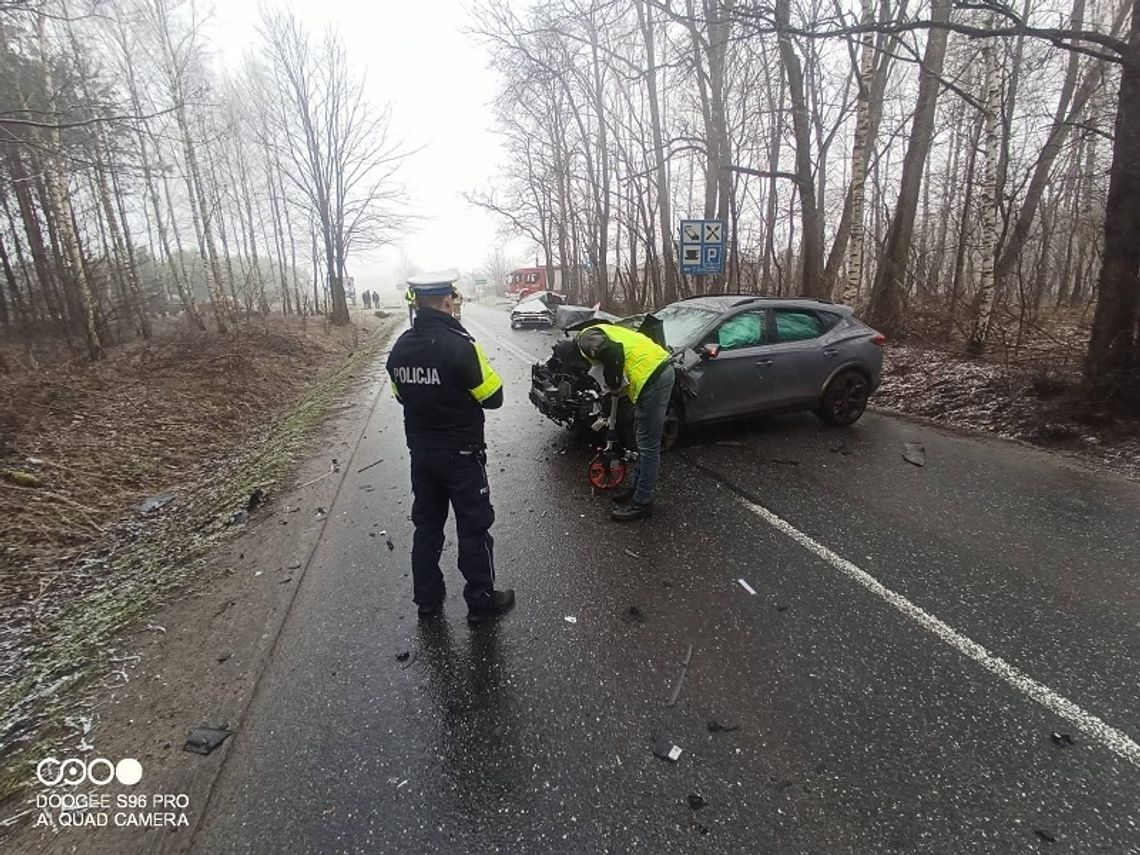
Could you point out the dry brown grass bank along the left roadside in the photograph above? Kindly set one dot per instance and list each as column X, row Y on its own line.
column 203, row 418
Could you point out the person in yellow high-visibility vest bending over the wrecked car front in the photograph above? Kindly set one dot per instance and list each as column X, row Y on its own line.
column 644, row 367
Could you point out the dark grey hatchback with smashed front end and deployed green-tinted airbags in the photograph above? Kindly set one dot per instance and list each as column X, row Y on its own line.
column 737, row 356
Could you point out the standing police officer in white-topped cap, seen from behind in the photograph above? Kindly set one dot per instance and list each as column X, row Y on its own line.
column 443, row 379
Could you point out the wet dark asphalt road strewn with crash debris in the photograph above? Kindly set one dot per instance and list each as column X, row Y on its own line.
column 916, row 641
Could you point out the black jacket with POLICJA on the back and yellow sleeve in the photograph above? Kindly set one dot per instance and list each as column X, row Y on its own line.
column 445, row 382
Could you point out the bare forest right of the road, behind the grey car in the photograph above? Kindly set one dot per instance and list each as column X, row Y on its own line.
column 960, row 173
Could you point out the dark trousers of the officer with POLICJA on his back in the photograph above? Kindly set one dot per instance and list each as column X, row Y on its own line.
column 458, row 478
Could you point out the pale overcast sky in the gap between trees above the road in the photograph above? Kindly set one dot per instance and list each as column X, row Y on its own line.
column 441, row 87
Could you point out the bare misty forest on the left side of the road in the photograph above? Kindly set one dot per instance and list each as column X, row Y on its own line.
column 144, row 178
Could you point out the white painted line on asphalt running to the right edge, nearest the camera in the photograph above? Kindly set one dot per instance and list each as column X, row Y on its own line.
column 1096, row 728
